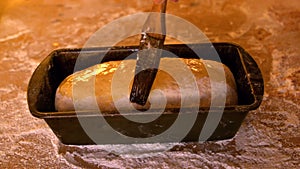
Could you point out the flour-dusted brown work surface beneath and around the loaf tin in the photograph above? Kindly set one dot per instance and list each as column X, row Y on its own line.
column 269, row 30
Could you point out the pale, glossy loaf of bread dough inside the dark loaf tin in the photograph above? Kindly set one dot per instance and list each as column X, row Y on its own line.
column 107, row 86
